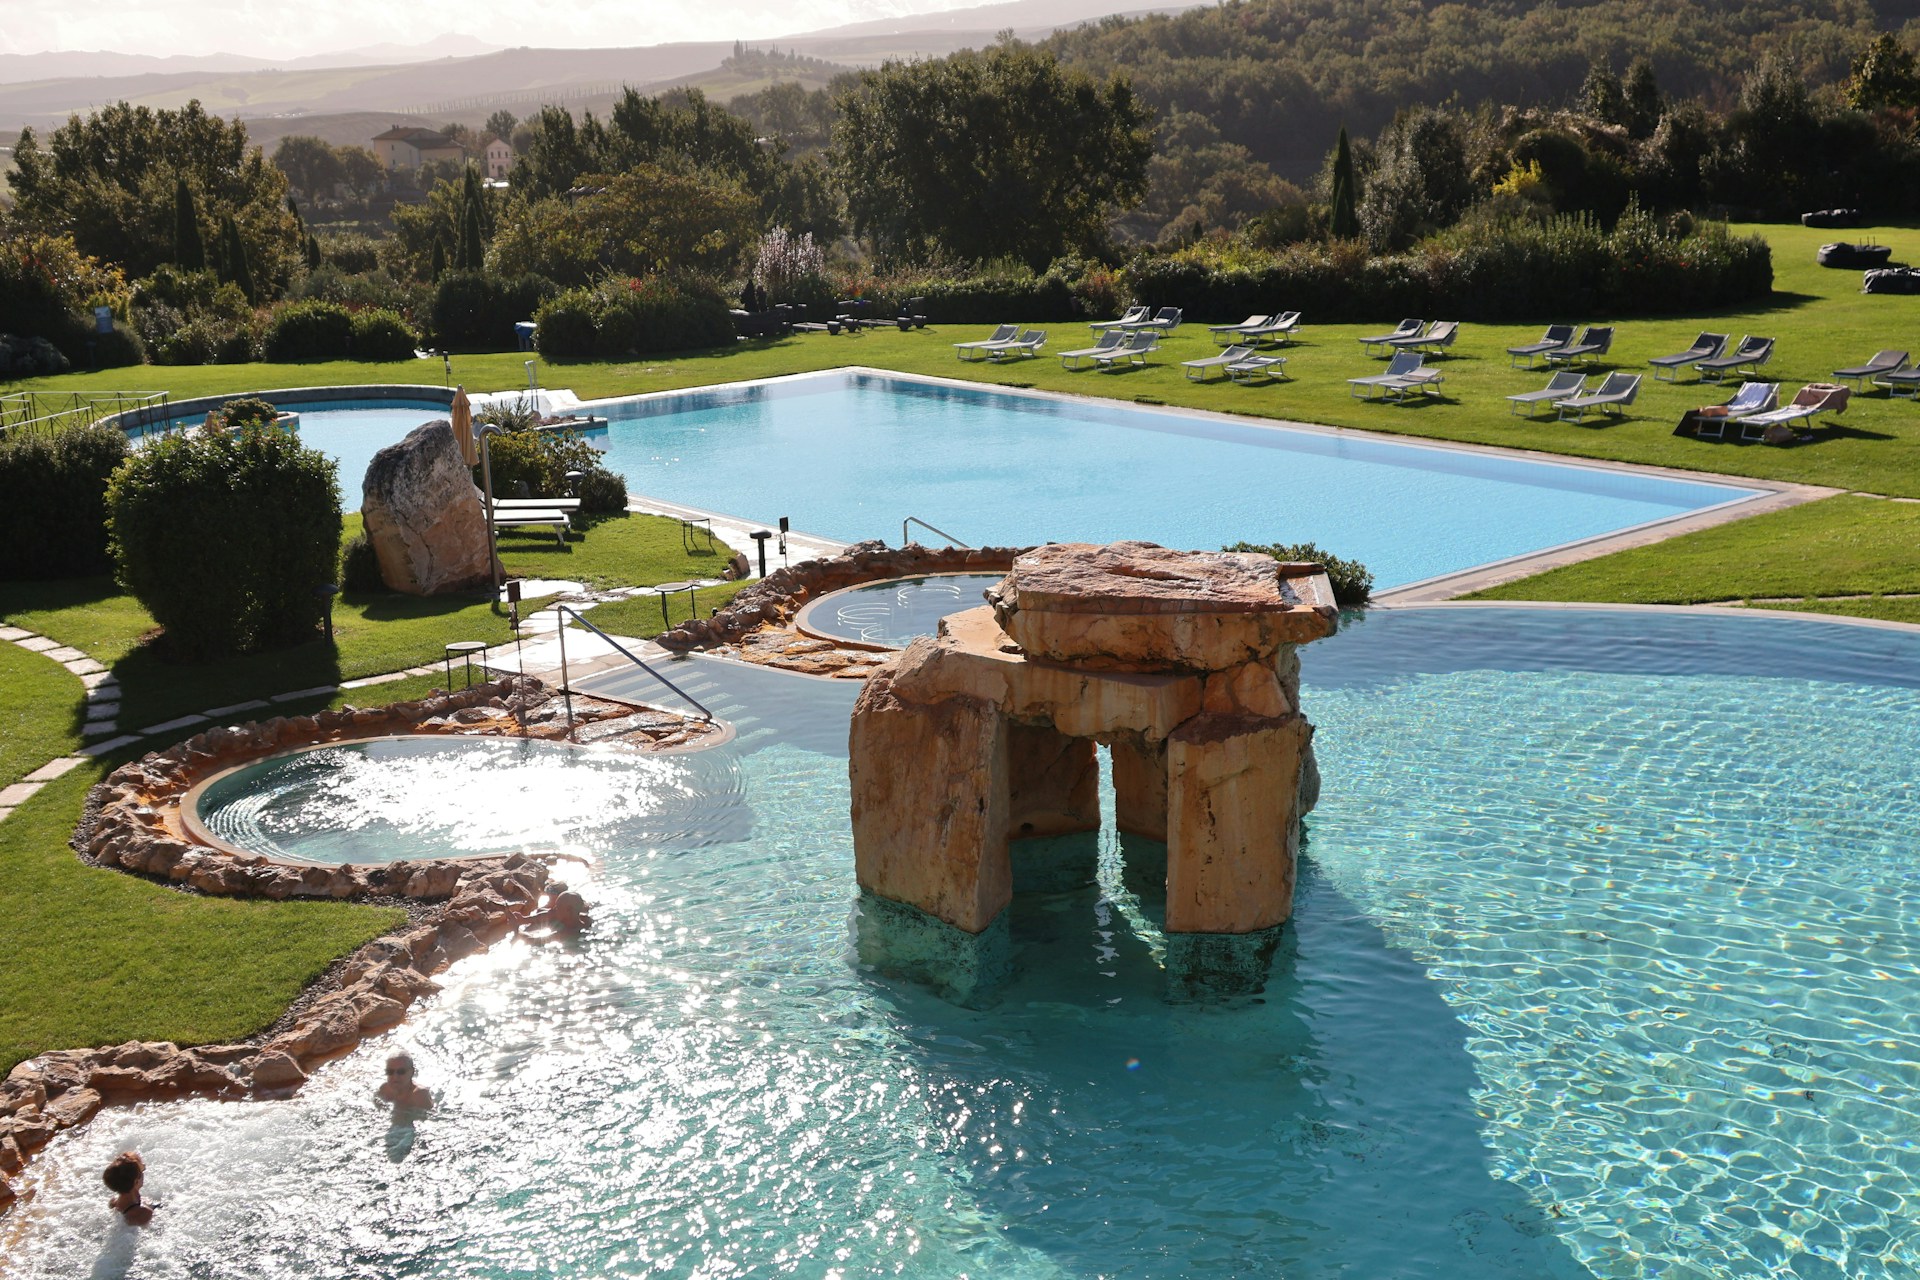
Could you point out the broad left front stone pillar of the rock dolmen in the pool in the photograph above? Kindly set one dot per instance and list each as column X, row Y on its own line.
column 930, row 803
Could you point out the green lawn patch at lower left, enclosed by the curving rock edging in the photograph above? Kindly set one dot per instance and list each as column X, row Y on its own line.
column 99, row 957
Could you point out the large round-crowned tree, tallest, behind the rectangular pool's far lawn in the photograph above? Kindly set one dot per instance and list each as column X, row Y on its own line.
column 1047, row 153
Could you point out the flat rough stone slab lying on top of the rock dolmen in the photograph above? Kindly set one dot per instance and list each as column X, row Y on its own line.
column 1141, row 607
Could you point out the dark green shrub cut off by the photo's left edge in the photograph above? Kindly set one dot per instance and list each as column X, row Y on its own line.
column 53, row 523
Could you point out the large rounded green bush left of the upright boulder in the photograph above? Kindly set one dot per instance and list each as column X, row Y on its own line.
column 226, row 536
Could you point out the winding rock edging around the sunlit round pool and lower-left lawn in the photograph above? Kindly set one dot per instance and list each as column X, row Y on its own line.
column 458, row 909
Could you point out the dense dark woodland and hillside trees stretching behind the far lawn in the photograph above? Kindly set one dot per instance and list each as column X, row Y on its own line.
column 1057, row 179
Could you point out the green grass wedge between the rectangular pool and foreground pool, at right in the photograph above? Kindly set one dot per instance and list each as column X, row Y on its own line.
column 1840, row 546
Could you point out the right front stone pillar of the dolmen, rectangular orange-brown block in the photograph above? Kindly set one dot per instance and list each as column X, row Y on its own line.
column 1234, row 788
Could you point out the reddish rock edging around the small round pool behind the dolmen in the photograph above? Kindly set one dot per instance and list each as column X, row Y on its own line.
column 782, row 594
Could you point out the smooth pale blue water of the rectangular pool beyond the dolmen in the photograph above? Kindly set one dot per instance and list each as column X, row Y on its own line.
column 852, row 456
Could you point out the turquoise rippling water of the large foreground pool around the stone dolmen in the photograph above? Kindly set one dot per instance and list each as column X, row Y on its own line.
column 1604, row 964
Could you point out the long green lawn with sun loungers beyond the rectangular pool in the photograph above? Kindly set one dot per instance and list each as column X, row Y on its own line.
column 1821, row 320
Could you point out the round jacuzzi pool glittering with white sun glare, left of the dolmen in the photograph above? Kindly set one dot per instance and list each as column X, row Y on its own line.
column 454, row 797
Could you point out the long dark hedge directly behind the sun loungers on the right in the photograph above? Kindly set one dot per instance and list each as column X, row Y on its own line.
column 1477, row 272
